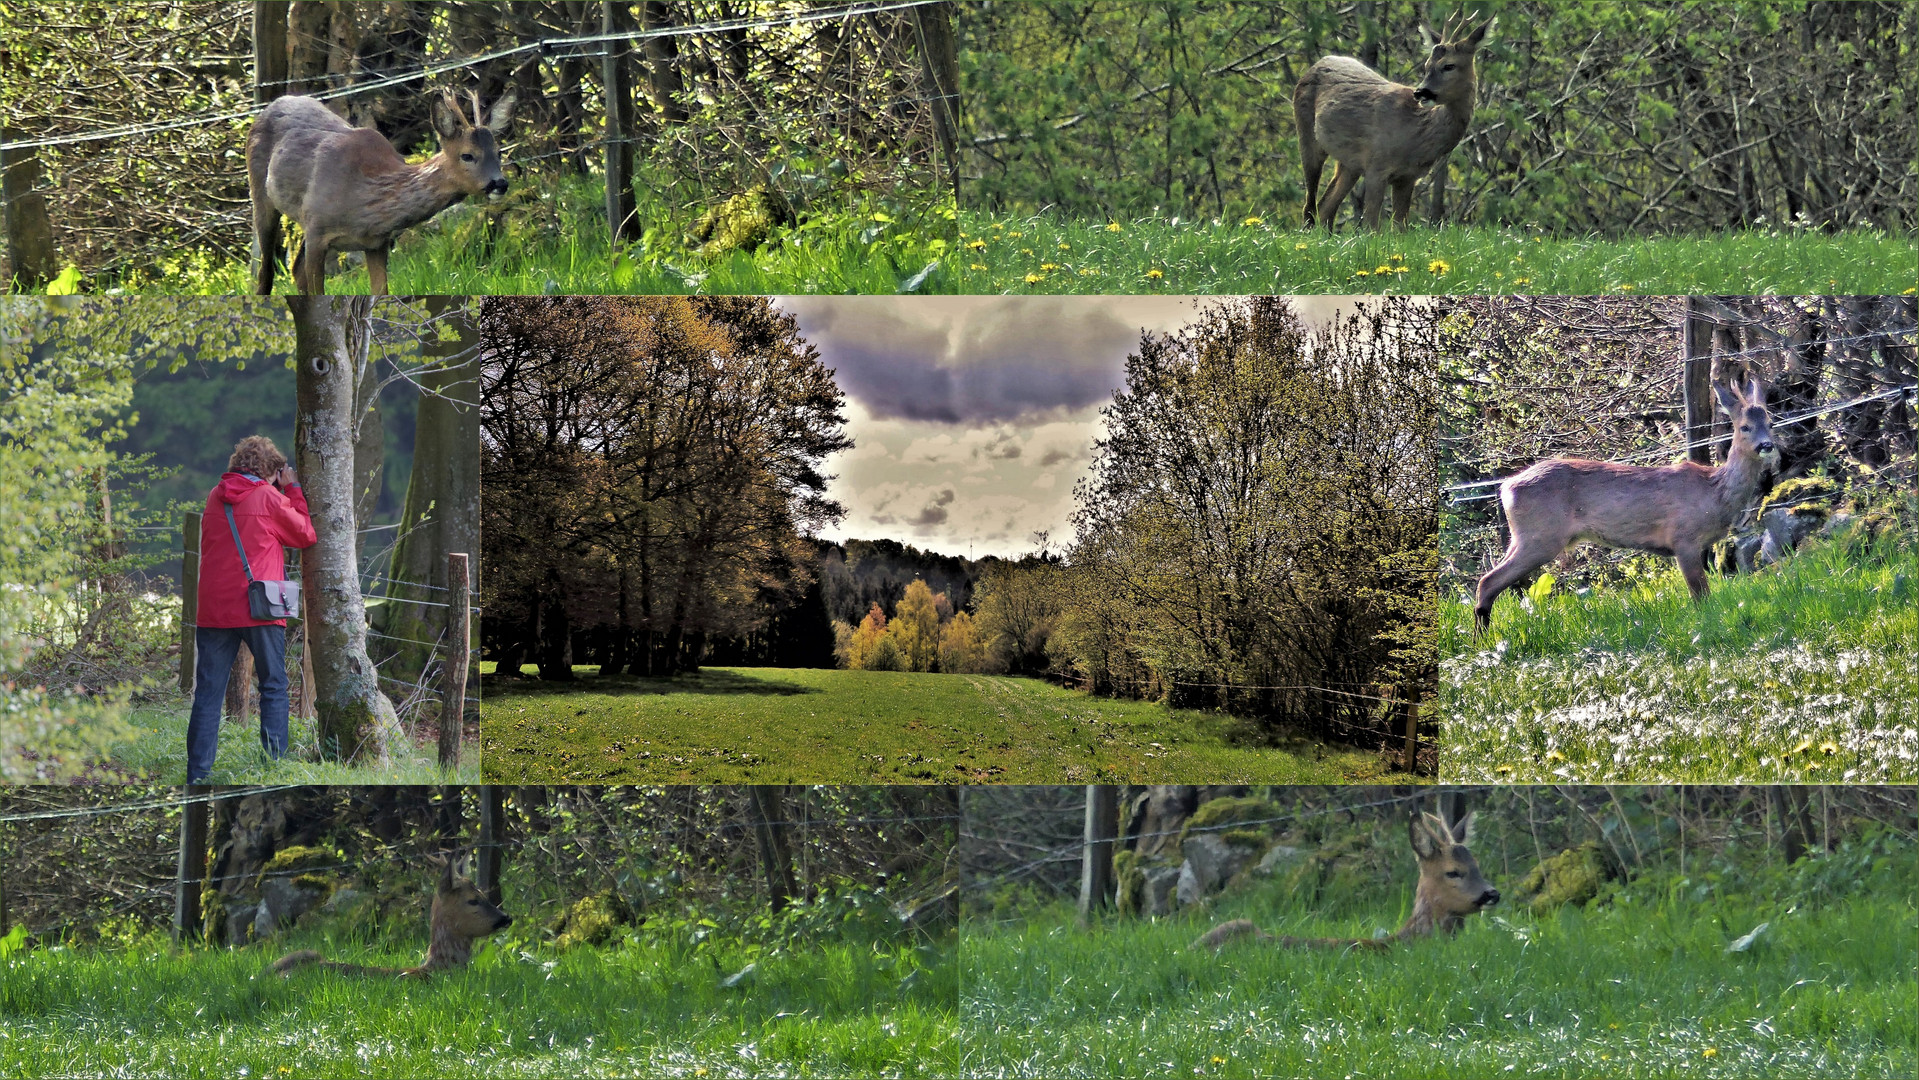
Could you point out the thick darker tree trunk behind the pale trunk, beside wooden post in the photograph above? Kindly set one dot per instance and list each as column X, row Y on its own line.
column 442, row 511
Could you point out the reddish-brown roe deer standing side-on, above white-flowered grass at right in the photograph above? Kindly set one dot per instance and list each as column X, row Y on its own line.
column 1676, row 509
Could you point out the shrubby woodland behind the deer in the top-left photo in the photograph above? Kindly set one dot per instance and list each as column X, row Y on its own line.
column 828, row 118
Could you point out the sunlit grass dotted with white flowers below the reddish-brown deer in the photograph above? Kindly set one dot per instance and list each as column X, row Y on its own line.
column 1799, row 674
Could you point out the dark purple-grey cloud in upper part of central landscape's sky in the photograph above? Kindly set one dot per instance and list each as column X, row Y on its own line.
column 970, row 360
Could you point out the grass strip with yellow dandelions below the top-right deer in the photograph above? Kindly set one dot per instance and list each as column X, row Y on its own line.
column 1051, row 254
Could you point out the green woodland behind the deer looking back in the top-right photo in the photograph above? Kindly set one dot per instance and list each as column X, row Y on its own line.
column 1611, row 118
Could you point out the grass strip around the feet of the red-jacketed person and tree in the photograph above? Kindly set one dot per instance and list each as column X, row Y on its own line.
column 156, row 751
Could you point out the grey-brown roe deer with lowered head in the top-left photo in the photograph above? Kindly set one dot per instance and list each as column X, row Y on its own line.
column 350, row 191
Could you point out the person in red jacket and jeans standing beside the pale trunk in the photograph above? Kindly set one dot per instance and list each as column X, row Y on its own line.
column 270, row 513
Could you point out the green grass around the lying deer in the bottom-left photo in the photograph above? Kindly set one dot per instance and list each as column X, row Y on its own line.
column 688, row 1002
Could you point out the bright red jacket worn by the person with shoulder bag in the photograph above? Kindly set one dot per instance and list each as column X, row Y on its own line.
column 268, row 523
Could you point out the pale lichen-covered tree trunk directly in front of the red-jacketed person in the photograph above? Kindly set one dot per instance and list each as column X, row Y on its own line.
column 354, row 718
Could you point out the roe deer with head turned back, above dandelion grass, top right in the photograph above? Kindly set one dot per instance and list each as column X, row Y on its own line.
column 1383, row 131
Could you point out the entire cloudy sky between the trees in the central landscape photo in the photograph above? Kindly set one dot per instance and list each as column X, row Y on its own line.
column 974, row 415
